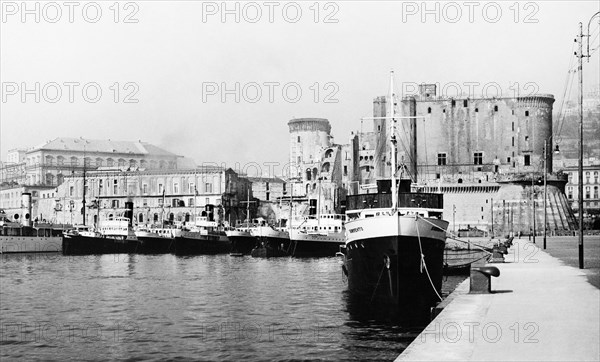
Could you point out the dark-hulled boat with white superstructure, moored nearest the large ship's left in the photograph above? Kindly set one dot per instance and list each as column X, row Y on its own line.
column 318, row 236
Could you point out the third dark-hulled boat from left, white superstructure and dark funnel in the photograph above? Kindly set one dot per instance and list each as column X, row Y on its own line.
column 202, row 236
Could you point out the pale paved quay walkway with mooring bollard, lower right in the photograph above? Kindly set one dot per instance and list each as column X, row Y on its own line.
column 543, row 310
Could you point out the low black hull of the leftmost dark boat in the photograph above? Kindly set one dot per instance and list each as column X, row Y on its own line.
column 87, row 245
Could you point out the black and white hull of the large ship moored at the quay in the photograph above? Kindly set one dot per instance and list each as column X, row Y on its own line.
column 383, row 262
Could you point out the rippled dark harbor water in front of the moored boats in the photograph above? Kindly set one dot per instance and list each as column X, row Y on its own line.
column 157, row 307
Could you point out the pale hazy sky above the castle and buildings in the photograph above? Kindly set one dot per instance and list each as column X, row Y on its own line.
column 174, row 57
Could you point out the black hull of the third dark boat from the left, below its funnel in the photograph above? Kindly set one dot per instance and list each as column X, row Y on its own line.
column 195, row 244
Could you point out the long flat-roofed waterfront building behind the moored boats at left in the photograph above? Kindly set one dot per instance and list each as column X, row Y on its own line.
column 172, row 196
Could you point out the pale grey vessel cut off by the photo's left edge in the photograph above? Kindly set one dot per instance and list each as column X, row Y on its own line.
column 27, row 237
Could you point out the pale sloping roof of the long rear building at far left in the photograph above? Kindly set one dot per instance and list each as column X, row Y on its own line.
column 104, row 146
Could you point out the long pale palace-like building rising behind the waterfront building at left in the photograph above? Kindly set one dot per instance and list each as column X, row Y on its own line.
column 49, row 163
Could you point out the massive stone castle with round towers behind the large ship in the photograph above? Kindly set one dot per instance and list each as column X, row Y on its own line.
column 486, row 155
